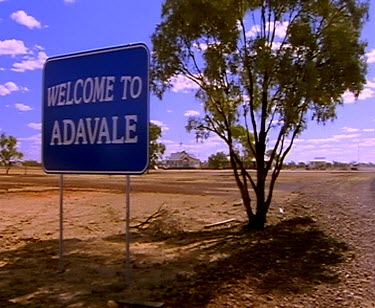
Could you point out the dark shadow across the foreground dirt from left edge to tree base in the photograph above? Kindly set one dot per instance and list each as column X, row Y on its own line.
column 290, row 257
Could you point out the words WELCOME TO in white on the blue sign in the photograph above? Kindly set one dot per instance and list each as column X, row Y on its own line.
column 93, row 89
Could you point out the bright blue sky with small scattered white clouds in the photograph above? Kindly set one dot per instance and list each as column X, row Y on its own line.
column 33, row 30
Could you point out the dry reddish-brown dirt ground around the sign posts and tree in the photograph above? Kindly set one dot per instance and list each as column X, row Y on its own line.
column 320, row 252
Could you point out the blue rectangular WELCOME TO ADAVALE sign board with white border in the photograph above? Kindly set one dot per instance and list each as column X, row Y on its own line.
column 96, row 111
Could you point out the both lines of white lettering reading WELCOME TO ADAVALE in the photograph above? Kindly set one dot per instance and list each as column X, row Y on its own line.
column 94, row 130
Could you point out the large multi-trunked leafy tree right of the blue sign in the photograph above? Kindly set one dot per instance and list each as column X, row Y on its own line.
column 266, row 67
